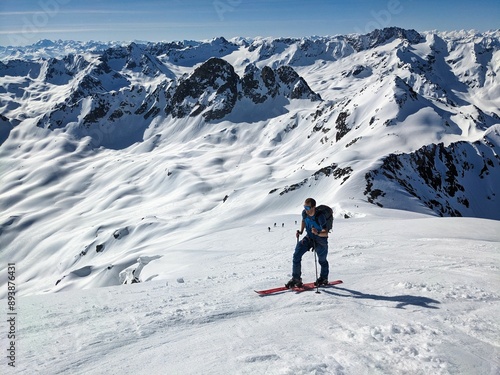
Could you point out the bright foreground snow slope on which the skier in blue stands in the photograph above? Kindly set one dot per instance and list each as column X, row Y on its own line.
column 410, row 303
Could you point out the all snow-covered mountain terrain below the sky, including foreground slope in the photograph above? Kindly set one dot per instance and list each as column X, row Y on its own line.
column 183, row 166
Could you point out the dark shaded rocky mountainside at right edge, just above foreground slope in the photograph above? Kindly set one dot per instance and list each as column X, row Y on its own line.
column 448, row 180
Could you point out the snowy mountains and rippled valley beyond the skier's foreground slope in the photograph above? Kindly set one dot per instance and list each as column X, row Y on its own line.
column 128, row 139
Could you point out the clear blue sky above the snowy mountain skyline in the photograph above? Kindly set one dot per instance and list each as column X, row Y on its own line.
column 27, row 21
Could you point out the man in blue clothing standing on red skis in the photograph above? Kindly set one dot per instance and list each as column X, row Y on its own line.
column 316, row 240
